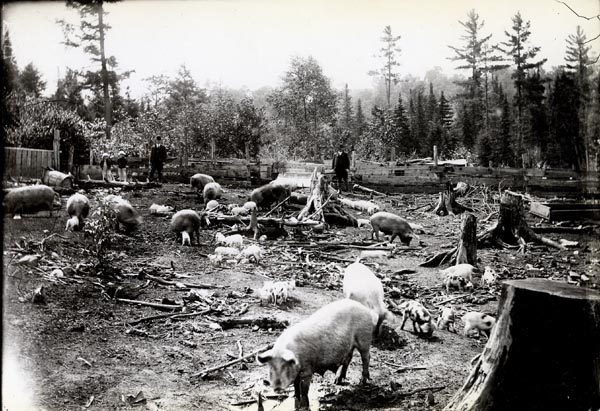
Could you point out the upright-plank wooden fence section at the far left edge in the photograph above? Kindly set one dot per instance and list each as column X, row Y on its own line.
column 26, row 162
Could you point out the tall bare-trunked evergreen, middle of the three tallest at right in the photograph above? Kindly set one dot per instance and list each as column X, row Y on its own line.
column 517, row 49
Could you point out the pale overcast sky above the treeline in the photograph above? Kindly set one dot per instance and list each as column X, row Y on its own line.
column 250, row 42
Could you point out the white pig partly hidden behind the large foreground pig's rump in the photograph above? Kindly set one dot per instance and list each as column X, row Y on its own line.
column 360, row 284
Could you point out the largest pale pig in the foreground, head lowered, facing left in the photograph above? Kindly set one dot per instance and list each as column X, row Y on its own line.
column 324, row 341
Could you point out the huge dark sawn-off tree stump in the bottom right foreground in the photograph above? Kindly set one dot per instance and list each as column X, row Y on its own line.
column 543, row 354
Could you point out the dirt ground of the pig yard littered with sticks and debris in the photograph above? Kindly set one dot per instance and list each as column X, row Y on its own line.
column 77, row 350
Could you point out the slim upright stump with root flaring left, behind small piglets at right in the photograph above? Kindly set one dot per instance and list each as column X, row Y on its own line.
column 465, row 252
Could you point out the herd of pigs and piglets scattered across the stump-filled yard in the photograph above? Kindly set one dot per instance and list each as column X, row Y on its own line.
column 325, row 340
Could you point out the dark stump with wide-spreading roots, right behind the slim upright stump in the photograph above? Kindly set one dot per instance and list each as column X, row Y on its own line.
column 512, row 228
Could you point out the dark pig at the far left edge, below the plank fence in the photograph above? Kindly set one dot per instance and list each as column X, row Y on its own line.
column 29, row 199
